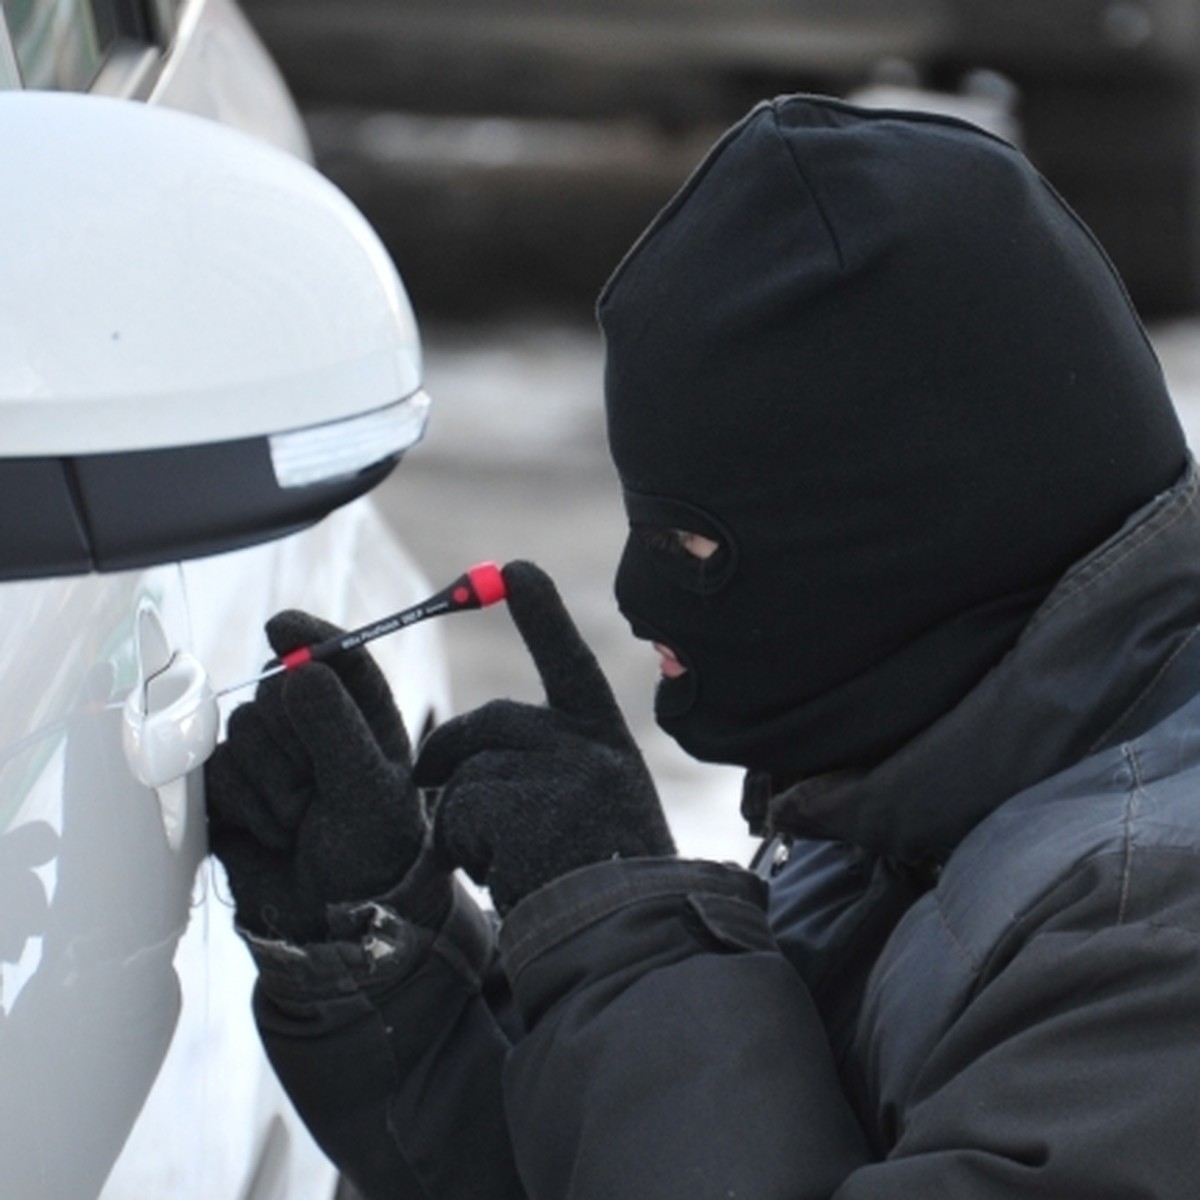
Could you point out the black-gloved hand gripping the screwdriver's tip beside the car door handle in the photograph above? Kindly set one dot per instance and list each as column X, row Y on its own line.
column 311, row 800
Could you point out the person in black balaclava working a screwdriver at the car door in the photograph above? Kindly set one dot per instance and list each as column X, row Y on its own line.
column 914, row 530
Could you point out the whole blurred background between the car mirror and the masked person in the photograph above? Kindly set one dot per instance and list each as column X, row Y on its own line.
column 509, row 152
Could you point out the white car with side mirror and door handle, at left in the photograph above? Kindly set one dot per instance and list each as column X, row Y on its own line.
column 205, row 350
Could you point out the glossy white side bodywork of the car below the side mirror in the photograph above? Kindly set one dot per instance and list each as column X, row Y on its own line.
column 212, row 1109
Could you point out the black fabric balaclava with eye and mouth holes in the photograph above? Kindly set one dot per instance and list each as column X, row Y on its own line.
column 878, row 359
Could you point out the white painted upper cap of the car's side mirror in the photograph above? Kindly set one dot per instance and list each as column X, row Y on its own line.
column 289, row 298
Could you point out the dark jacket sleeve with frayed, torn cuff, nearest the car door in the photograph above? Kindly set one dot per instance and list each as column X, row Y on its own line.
column 391, row 1042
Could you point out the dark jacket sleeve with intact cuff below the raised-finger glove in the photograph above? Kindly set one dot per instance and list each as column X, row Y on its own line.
column 671, row 1051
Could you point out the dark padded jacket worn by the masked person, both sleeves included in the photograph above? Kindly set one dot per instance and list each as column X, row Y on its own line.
column 976, row 975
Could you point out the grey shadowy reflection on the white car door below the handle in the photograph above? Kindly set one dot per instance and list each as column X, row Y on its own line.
column 104, row 971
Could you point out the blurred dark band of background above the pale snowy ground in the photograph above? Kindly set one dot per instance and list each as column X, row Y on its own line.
column 587, row 113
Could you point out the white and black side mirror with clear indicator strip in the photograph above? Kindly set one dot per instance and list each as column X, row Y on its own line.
column 203, row 344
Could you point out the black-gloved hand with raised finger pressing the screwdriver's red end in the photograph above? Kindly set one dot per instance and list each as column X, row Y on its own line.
column 530, row 793
